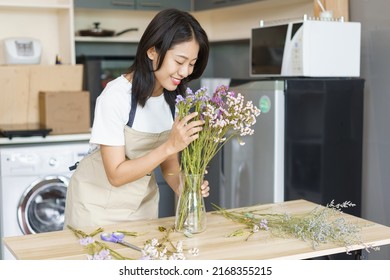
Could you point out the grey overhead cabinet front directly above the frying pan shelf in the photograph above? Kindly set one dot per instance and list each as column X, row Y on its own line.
column 134, row 4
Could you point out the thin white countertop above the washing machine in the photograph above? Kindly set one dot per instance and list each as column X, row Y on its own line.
column 43, row 140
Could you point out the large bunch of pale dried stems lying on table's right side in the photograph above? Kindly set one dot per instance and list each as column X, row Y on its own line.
column 319, row 226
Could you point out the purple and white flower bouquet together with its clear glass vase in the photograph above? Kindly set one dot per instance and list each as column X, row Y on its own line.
column 226, row 116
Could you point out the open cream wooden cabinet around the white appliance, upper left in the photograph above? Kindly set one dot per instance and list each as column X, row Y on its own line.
column 49, row 21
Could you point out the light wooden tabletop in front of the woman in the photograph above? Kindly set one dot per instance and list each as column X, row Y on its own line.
column 213, row 243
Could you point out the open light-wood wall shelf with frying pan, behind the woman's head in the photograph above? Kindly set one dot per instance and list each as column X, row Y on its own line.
column 225, row 24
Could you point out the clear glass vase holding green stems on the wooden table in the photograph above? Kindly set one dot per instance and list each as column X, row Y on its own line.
column 190, row 211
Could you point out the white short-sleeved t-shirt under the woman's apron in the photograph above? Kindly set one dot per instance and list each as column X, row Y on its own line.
column 112, row 114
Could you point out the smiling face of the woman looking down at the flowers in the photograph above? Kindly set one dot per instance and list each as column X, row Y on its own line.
column 178, row 63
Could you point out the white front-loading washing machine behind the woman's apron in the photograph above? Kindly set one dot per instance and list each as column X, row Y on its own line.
column 33, row 185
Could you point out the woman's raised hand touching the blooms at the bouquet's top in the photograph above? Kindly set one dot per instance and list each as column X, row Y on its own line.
column 183, row 132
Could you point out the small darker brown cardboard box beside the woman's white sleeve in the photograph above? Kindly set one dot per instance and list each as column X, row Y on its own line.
column 66, row 112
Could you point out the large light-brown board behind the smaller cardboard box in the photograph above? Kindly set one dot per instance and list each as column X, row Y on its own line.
column 20, row 87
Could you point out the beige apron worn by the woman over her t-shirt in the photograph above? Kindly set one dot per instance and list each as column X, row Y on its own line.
column 92, row 201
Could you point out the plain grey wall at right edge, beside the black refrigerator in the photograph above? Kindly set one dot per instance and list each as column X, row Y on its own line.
column 375, row 69
